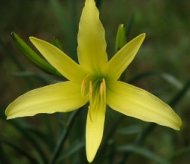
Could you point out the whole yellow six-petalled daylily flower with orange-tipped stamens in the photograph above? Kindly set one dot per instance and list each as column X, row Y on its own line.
column 95, row 80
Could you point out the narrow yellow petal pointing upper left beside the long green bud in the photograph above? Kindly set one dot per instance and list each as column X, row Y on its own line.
column 63, row 63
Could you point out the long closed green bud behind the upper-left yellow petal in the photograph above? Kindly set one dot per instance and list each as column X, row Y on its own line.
column 33, row 56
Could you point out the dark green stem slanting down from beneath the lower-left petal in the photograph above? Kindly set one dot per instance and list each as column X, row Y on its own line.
column 64, row 136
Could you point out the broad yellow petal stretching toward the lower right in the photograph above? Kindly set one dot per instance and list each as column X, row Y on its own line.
column 138, row 103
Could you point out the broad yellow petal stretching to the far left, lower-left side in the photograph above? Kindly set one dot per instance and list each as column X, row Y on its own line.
column 60, row 97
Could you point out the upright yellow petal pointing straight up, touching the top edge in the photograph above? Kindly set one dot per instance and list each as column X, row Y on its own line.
column 91, row 39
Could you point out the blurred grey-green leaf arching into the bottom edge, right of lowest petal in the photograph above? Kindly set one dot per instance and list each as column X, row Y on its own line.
column 143, row 152
